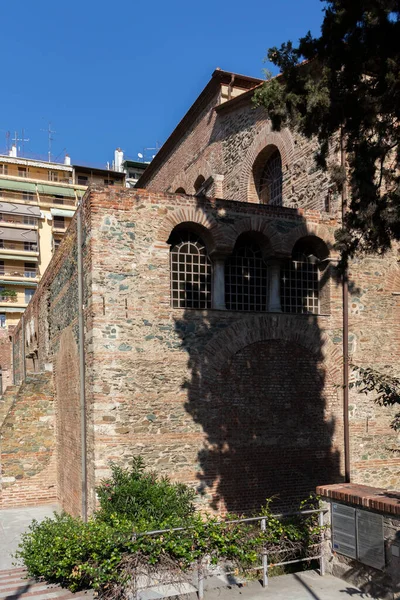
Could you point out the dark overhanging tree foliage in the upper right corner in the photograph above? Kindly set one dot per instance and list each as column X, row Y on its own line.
column 349, row 84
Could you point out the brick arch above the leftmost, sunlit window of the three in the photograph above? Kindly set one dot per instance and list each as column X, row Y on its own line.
column 217, row 236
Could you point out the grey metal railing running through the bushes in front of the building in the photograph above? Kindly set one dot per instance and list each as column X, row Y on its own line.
column 265, row 564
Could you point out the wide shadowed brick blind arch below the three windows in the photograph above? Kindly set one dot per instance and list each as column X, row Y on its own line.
column 272, row 327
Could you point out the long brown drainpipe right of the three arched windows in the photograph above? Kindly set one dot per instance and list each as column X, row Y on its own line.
column 345, row 296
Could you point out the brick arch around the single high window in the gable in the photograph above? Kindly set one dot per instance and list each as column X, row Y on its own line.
column 266, row 137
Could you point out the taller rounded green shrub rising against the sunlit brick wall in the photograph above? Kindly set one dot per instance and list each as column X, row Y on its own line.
column 147, row 500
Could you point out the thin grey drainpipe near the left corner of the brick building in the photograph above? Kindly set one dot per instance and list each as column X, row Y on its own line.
column 81, row 337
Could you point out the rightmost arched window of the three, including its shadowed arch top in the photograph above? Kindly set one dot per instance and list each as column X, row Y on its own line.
column 305, row 279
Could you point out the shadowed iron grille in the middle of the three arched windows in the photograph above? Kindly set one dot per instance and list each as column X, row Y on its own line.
column 246, row 279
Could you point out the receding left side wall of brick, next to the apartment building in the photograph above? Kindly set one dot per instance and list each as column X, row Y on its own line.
column 48, row 332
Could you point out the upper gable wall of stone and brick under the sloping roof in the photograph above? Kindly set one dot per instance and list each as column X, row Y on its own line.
column 225, row 140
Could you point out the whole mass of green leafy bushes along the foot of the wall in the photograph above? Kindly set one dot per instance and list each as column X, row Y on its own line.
column 111, row 551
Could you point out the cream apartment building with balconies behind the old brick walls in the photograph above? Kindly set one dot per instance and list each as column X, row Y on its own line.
column 37, row 202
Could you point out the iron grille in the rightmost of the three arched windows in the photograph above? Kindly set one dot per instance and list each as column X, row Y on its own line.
column 300, row 286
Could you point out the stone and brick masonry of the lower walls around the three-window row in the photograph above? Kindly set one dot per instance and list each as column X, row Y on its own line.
column 240, row 405
